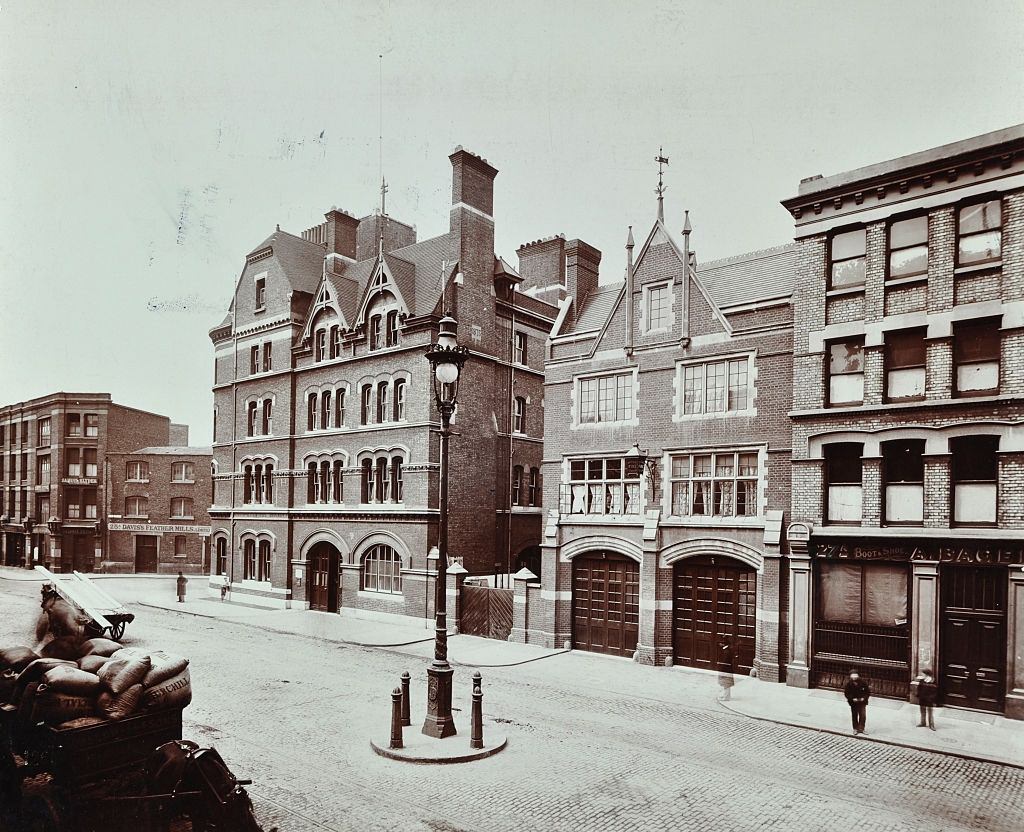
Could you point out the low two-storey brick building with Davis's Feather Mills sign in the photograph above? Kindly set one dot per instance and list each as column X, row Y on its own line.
column 158, row 511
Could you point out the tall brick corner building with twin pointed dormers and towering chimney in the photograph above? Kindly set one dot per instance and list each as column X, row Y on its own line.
column 326, row 483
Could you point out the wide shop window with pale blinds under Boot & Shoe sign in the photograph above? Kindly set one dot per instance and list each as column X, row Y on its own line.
column 872, row 595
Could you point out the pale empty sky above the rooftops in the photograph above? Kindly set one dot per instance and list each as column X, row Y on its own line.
column 146, row 148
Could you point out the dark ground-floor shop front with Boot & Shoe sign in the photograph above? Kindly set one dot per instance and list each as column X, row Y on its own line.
column 897, row 608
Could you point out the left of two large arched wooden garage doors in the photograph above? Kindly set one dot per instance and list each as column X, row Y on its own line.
column 606, row 604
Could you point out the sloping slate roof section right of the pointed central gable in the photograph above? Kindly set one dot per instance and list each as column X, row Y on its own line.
column 750, row 278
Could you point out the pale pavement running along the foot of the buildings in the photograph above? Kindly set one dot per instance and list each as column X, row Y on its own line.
column 972, row 735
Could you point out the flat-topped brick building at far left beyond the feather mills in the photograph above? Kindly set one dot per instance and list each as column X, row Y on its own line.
column 54, row 452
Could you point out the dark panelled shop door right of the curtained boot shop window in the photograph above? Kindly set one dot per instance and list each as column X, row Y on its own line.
column 974, row 637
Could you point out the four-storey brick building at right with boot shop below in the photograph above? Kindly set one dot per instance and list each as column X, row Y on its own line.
column 909, row 425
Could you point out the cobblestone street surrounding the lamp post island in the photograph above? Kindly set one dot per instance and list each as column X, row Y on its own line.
column 594, row 744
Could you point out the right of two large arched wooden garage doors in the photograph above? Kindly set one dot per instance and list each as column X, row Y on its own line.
column 714, row 601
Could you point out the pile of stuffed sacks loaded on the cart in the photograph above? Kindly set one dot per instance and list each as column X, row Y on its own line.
column 108, row 682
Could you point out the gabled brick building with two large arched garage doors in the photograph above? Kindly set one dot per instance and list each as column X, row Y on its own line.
column 667, row 457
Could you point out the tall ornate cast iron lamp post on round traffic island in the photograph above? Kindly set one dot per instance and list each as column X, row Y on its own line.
column 447, row 359
